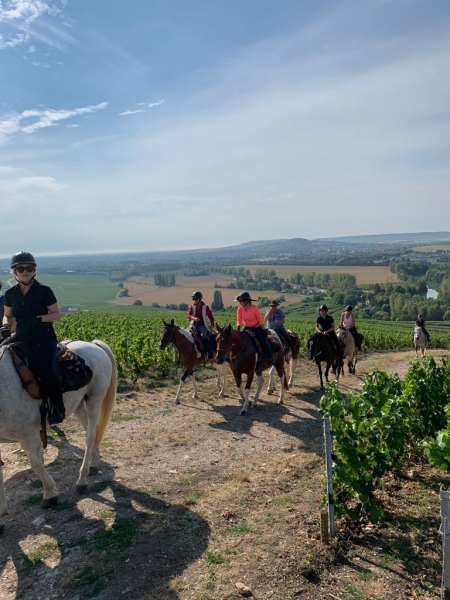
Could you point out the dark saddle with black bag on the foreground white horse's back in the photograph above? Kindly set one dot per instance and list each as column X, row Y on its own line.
column 75, row 373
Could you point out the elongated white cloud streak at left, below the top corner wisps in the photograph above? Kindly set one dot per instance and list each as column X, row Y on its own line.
column 41, row 118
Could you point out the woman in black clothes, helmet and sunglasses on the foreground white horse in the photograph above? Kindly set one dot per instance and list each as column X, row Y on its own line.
column 30, row 309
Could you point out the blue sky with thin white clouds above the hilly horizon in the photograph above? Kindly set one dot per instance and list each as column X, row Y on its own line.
column 169, row 124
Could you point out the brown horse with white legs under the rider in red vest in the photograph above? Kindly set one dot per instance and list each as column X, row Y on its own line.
column 189, row 357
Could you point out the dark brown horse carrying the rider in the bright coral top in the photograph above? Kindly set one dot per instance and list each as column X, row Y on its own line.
column 240, row 349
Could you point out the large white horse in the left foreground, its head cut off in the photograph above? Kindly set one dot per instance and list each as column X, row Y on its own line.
column 20, row 418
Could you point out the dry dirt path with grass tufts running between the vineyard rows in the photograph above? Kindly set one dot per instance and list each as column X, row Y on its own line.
column 192, row 502
